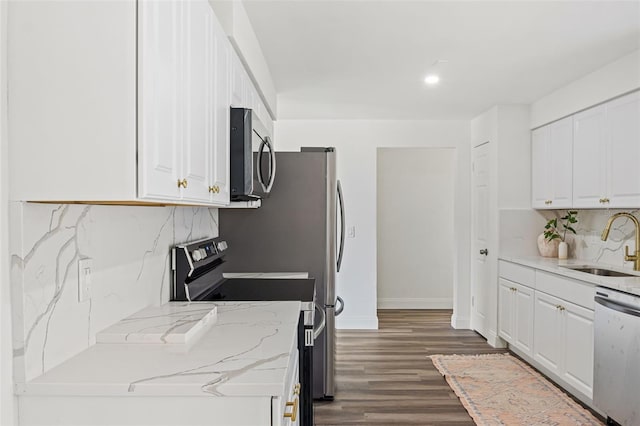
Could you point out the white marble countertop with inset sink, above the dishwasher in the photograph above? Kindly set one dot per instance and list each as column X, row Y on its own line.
column 563, row 267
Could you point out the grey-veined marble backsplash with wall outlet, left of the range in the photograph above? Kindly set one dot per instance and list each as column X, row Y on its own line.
column 129, row 248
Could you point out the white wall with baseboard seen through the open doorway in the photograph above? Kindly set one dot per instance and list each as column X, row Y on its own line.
column 415, row 188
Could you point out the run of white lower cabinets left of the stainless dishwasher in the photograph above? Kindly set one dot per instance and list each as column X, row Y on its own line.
column 548, row 330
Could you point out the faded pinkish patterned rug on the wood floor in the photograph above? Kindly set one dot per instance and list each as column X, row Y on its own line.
column 499, row 389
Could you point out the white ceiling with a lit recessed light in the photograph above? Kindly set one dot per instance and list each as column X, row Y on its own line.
column 367, row 59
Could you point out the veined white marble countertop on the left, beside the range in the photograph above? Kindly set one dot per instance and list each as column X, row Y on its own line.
column 245, row 353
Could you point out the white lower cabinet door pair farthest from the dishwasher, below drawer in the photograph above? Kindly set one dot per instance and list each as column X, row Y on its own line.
column 515, row 323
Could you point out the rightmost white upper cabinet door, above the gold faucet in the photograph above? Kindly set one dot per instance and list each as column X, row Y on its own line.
column 623, row 140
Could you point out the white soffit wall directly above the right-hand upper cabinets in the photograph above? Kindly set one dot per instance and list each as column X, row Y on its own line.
column 614, row 79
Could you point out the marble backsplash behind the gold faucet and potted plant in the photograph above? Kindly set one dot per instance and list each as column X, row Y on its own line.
column 519, row 229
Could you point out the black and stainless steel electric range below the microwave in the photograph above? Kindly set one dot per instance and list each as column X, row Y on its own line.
column 198, row 275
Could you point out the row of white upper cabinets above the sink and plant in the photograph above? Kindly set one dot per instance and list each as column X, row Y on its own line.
column 598, row 158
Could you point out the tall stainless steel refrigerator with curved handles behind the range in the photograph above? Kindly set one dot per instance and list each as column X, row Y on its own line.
column 299, row 228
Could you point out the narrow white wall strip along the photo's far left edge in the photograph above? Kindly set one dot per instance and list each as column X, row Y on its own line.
column 7, row 400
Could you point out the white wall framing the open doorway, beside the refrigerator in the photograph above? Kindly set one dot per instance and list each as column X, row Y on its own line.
column 356, row 142
